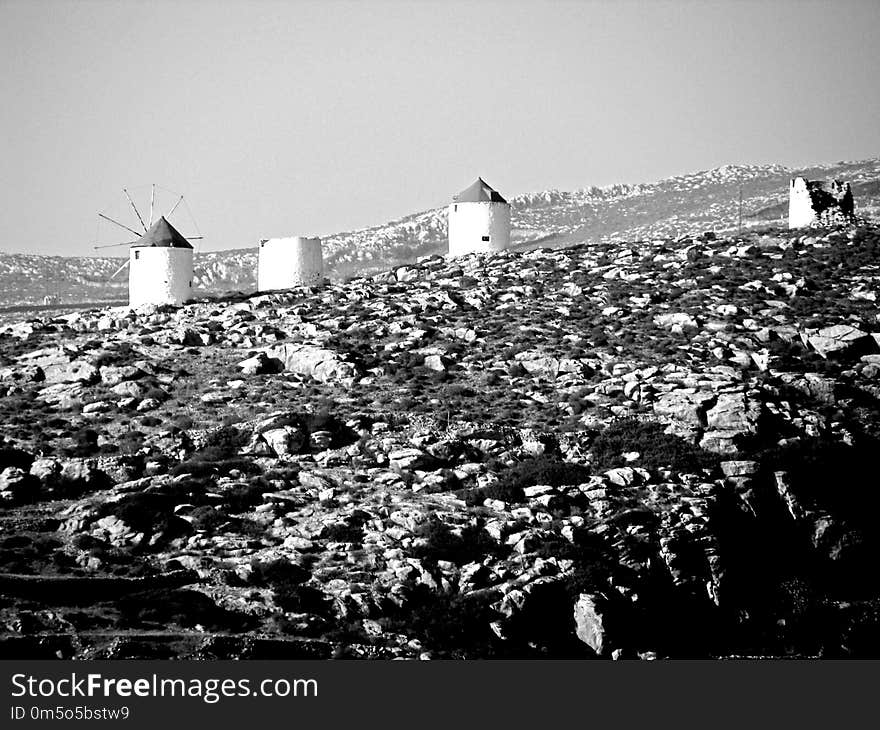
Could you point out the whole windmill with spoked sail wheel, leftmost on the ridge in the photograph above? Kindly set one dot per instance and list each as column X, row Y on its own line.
column 160, row 257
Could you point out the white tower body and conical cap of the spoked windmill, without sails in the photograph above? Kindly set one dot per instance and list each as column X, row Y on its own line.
column 160, row 267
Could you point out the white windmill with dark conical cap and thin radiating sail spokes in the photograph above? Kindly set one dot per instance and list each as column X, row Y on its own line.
column 160, row 258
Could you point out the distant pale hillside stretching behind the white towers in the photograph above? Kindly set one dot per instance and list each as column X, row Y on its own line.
column 686, row 204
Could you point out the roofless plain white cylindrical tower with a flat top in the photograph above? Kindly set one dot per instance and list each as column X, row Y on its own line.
column 290, row 262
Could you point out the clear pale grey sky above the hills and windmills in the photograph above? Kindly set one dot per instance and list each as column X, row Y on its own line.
column 311, row 118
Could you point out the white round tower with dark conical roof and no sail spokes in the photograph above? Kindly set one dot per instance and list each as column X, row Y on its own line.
column 479, row 220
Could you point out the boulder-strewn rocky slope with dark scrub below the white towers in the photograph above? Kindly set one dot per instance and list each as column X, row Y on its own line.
column 660, row 448
